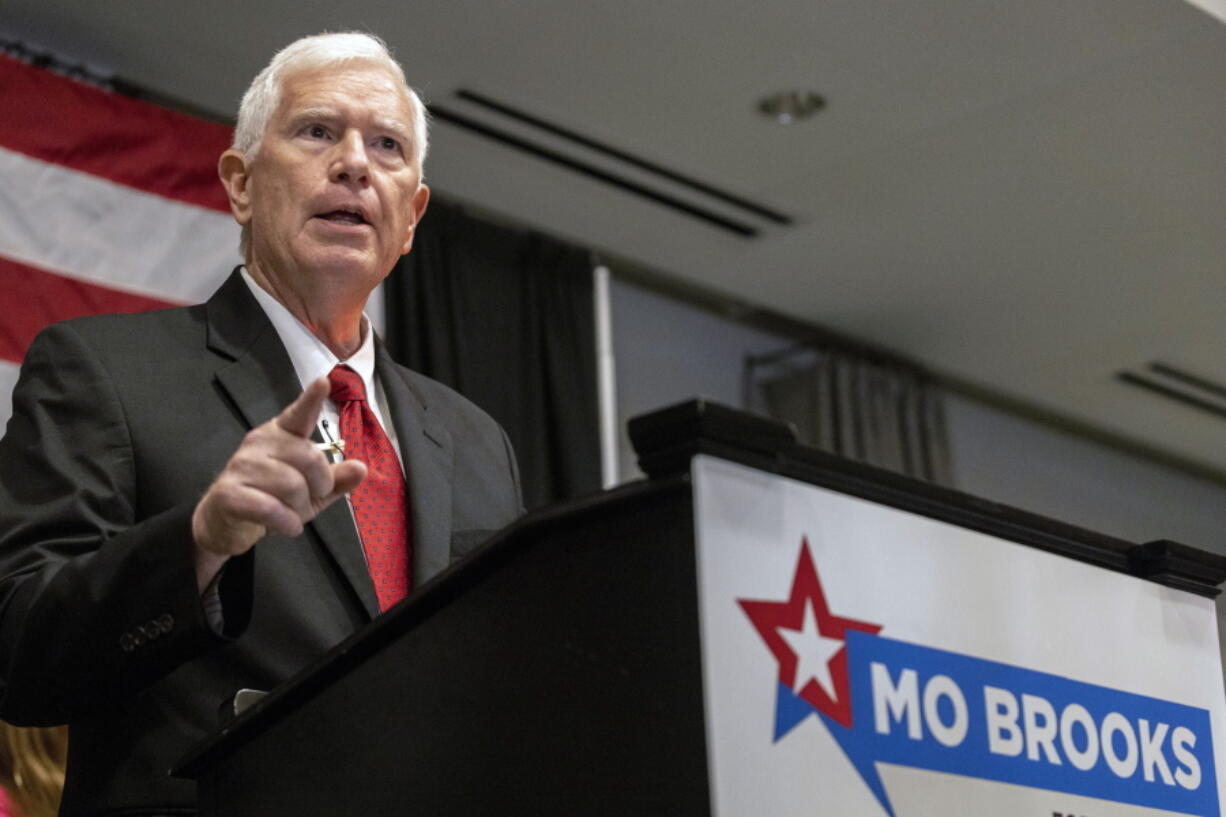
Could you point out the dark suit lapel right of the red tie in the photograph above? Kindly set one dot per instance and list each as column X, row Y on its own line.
column 426, row 448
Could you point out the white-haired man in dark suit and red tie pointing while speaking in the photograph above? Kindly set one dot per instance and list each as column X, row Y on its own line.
column 173, row 526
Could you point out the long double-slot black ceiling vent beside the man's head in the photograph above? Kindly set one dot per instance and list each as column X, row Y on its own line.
column 698, row 204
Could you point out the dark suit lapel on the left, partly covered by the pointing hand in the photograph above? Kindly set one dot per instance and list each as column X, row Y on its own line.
column 261, row 381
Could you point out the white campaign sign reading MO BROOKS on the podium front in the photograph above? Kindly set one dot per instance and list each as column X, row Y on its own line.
column 865, row 661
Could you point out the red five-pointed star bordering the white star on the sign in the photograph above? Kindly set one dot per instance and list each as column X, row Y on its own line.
column 769, row 616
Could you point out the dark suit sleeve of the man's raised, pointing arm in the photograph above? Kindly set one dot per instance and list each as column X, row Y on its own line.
column 96, row 603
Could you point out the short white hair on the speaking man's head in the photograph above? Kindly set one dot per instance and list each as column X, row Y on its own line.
column 319, row 51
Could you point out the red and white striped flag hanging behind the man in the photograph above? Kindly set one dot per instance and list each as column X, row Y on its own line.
column 107, row 204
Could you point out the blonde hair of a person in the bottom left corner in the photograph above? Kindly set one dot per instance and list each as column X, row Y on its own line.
column 32, row 769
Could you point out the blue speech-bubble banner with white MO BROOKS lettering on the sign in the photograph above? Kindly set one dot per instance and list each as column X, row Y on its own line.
column 931, row 710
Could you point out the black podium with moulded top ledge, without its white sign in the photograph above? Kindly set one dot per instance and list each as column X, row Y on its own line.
column 561, row 669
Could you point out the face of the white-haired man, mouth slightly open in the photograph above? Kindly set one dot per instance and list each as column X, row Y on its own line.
column 334, row 197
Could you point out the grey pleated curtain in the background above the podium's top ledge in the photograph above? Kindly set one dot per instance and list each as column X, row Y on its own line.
column 877, row 413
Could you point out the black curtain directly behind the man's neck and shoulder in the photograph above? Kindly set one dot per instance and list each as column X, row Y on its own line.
column 506, row 318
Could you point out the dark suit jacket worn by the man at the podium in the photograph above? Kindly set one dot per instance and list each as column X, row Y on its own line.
column 120, row 425
